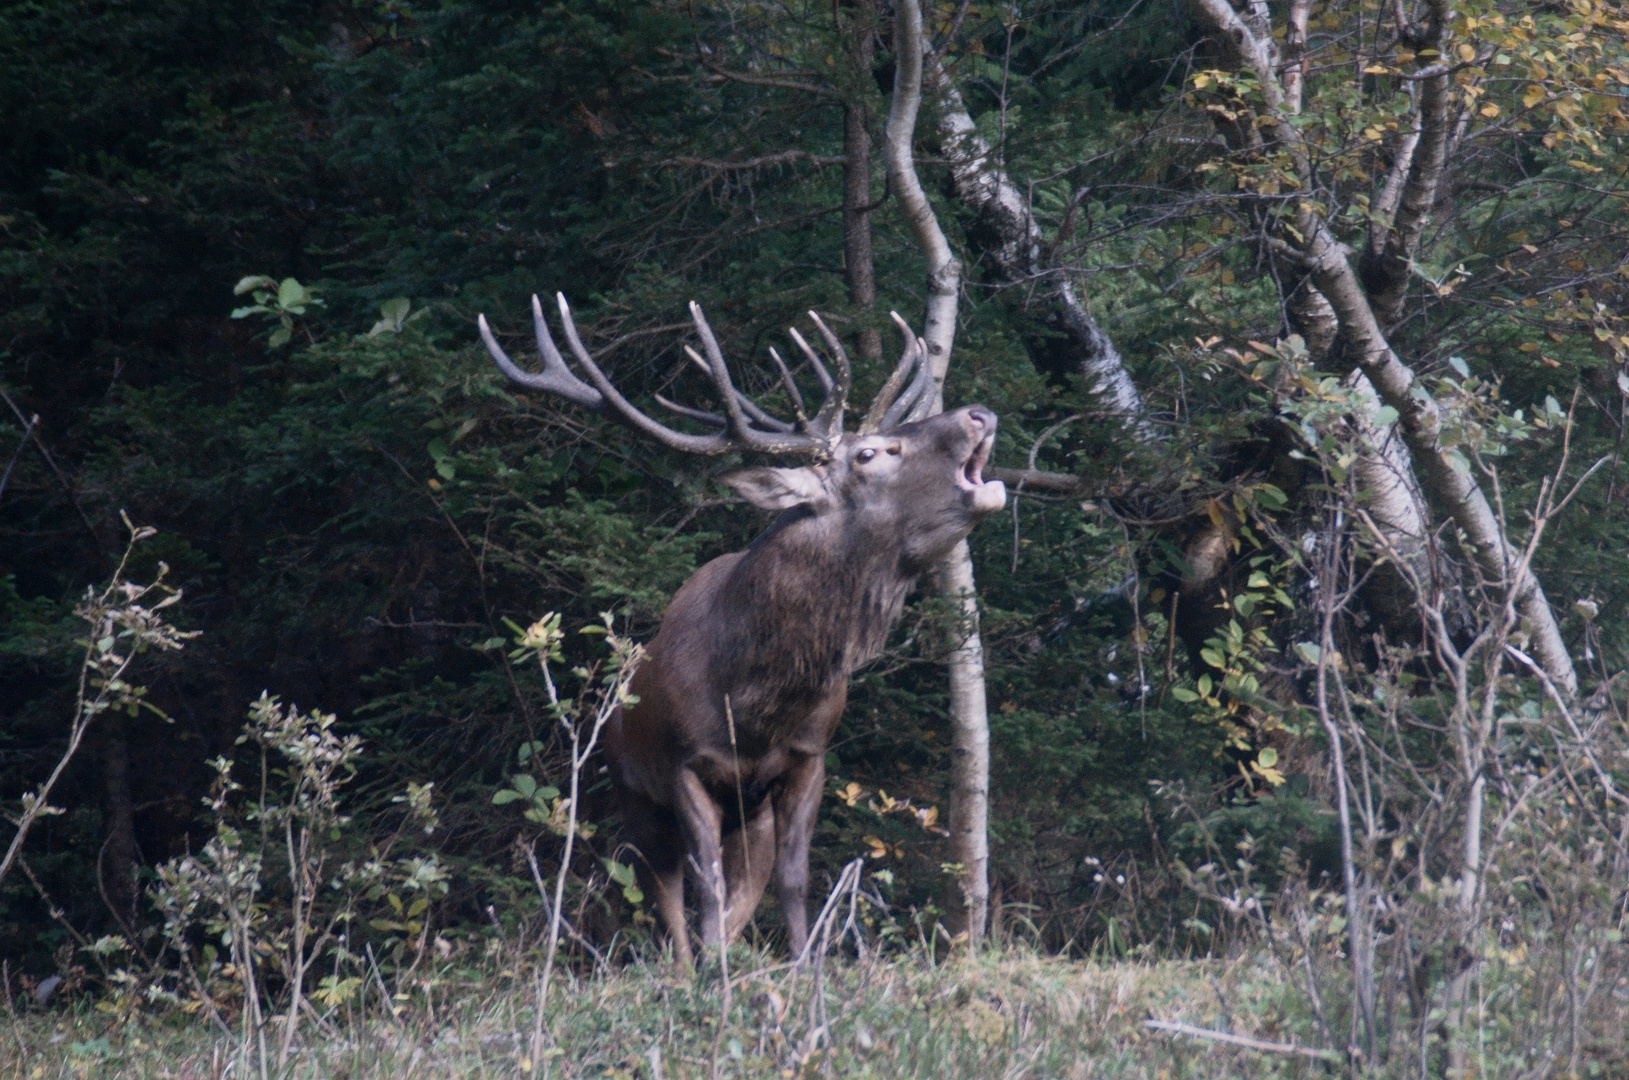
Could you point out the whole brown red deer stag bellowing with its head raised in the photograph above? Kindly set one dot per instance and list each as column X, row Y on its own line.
column 721, row 765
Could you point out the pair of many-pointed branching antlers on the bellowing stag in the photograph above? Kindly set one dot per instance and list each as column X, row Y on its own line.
column 745, row 424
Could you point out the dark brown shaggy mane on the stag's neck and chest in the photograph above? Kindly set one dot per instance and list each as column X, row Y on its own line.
column 804, row 608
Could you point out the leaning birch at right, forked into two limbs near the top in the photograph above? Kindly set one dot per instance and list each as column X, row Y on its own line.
column 1304, row 239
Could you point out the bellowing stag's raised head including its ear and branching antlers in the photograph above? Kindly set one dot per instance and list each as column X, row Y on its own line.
column 905, row 480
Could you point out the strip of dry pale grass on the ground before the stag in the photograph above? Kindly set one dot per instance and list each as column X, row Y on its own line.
column 996, row 1016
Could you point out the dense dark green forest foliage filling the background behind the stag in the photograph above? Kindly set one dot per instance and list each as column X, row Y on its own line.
column 358, row 507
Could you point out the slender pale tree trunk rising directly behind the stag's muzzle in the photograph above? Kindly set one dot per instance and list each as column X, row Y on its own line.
column 968, row 711
